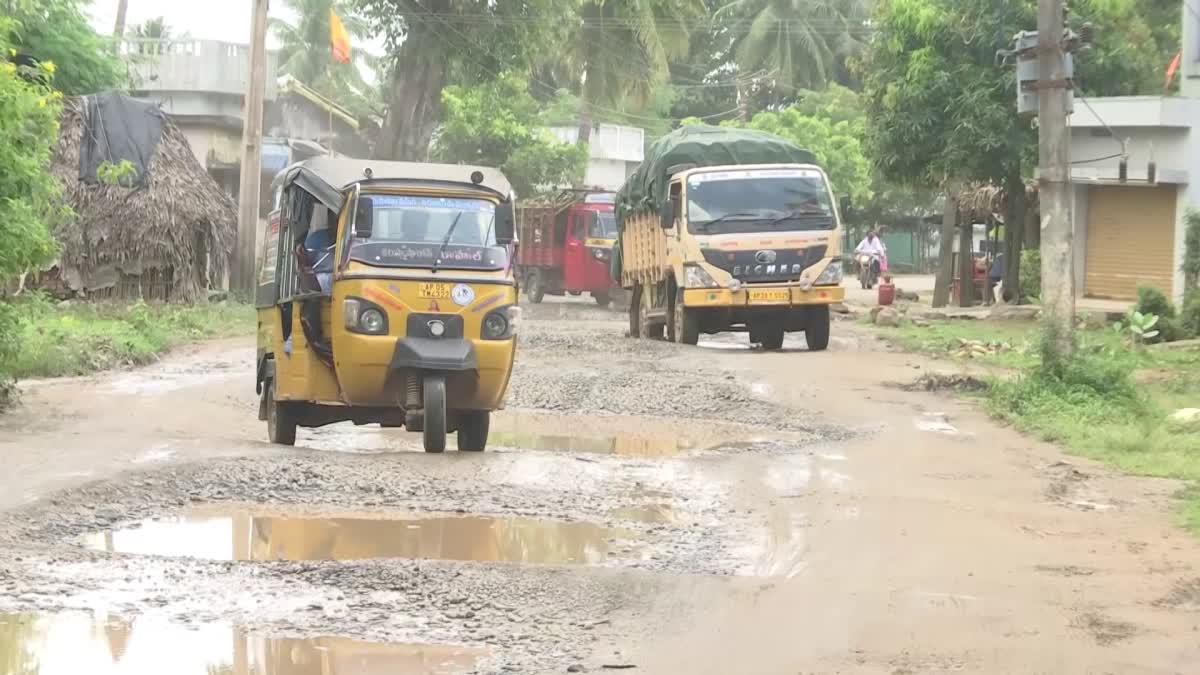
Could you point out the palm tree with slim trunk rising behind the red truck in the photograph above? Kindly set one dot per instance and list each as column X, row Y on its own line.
column 625, row 50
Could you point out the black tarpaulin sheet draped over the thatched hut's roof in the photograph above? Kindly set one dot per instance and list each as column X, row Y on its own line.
column 119, row 129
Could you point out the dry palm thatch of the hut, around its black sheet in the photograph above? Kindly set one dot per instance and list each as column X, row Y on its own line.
column 165, row 241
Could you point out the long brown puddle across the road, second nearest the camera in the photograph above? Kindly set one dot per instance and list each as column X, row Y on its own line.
column 250, row 536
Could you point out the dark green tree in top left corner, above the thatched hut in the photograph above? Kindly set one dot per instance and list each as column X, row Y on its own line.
column 59, row 33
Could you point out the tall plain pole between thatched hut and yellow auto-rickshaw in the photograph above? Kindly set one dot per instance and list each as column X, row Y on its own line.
column 243, row 278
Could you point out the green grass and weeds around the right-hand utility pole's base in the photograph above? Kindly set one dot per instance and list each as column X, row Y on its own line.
column 1109, row 403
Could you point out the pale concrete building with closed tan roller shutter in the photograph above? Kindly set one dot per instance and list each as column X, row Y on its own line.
column 1131, row 234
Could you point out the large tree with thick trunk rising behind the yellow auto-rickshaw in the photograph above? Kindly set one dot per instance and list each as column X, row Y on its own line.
column 429, row 41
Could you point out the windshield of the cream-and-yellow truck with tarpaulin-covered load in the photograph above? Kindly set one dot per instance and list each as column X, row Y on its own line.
column 759, row 201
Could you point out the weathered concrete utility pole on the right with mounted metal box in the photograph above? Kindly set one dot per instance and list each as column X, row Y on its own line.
column 1054, row 171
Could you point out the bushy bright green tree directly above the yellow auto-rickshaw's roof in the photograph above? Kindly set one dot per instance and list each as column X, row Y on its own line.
column 497, row 124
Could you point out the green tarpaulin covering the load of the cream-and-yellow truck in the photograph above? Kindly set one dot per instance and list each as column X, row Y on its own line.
column 704, row 147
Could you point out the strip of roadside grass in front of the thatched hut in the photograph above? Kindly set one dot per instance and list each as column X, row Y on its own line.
column 80, row 338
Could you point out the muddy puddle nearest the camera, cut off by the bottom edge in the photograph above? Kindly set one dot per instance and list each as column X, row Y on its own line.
column 95, row 644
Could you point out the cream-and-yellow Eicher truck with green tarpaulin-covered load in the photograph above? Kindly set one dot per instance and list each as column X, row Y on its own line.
column 729, row 230
